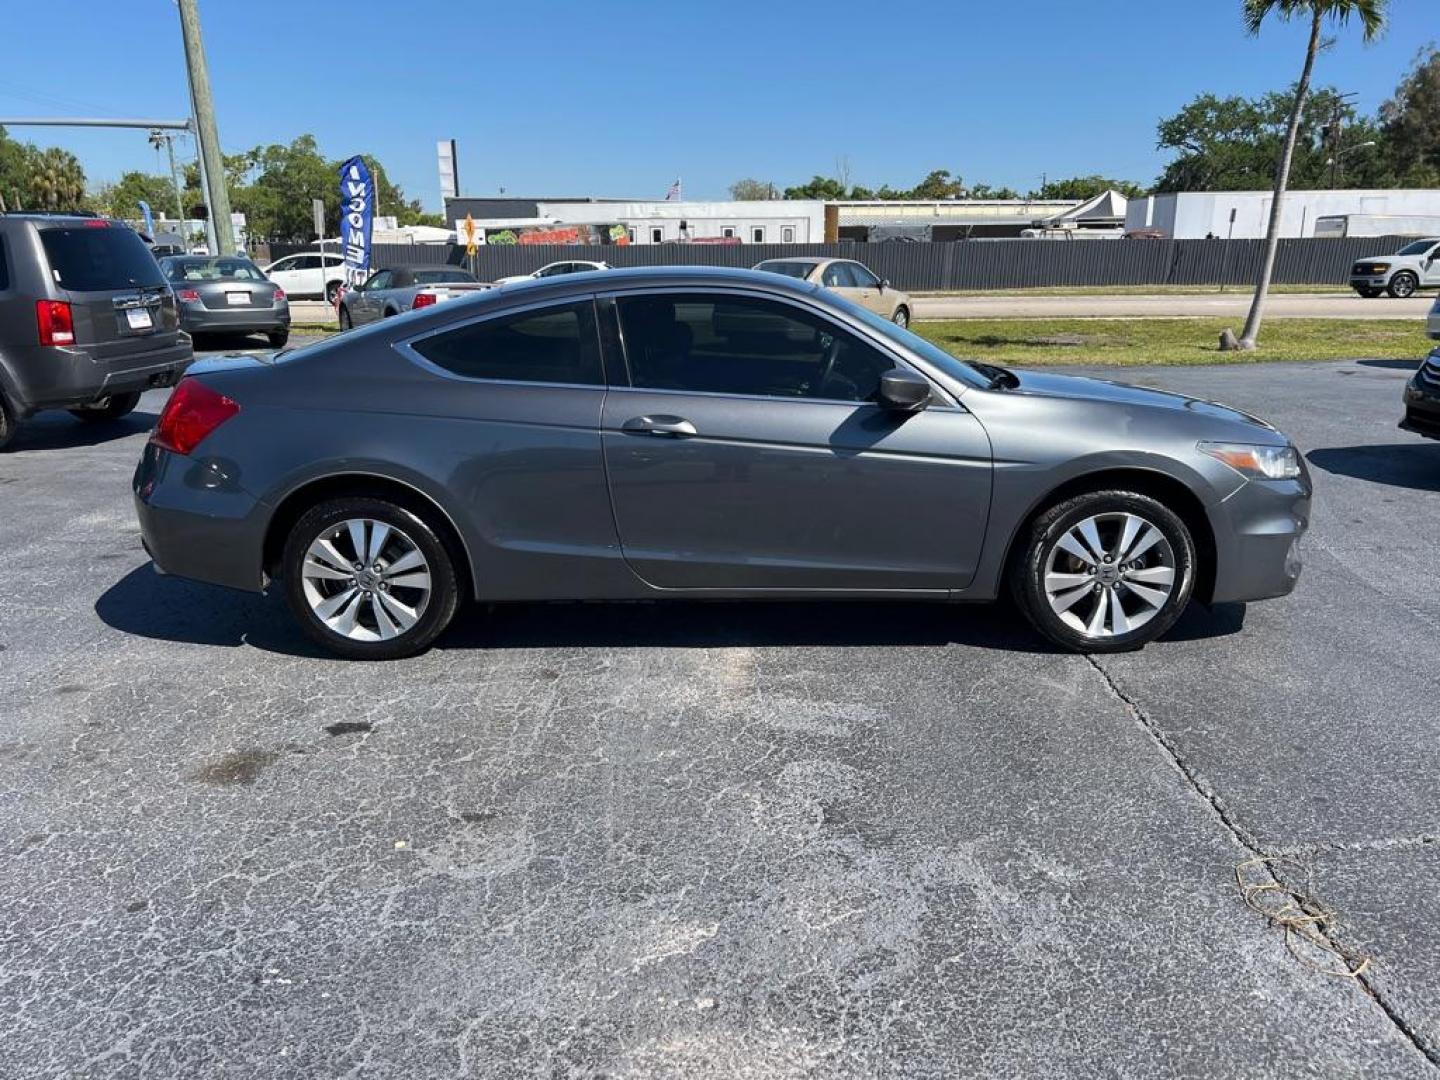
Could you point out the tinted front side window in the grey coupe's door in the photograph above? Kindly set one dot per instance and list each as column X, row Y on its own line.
column 745, row 346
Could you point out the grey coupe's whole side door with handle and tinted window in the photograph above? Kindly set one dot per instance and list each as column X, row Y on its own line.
column 748, row 453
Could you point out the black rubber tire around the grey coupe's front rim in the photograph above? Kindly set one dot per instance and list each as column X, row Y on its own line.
column 1043, row 539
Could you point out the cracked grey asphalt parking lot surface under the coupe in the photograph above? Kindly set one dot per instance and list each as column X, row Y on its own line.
column 722, row 842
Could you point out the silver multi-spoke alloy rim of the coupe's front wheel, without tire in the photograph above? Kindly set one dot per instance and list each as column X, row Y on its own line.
column 1110, row 575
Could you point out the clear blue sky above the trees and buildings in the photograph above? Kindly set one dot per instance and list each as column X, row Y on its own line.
column 623, row 97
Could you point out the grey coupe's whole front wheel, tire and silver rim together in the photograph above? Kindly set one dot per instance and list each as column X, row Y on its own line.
column 1105, row 572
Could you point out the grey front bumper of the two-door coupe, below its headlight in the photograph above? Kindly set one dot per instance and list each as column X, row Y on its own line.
column 1258, row 539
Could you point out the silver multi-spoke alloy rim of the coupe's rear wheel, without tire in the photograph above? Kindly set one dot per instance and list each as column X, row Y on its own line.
column 366, row 581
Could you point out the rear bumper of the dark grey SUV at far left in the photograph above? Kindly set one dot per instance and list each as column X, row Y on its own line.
column 51, row 378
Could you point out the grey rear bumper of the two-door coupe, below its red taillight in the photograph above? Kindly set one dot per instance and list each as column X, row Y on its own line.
column 197, row 522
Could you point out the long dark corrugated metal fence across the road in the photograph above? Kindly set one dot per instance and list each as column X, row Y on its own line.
column 970, row 266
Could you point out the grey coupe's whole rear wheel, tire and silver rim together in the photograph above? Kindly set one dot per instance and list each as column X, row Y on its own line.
column 369, row 580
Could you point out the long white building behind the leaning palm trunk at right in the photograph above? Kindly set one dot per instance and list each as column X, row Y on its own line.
column 1197, row 215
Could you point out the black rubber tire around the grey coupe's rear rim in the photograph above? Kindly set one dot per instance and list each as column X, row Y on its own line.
column 328, row 519
